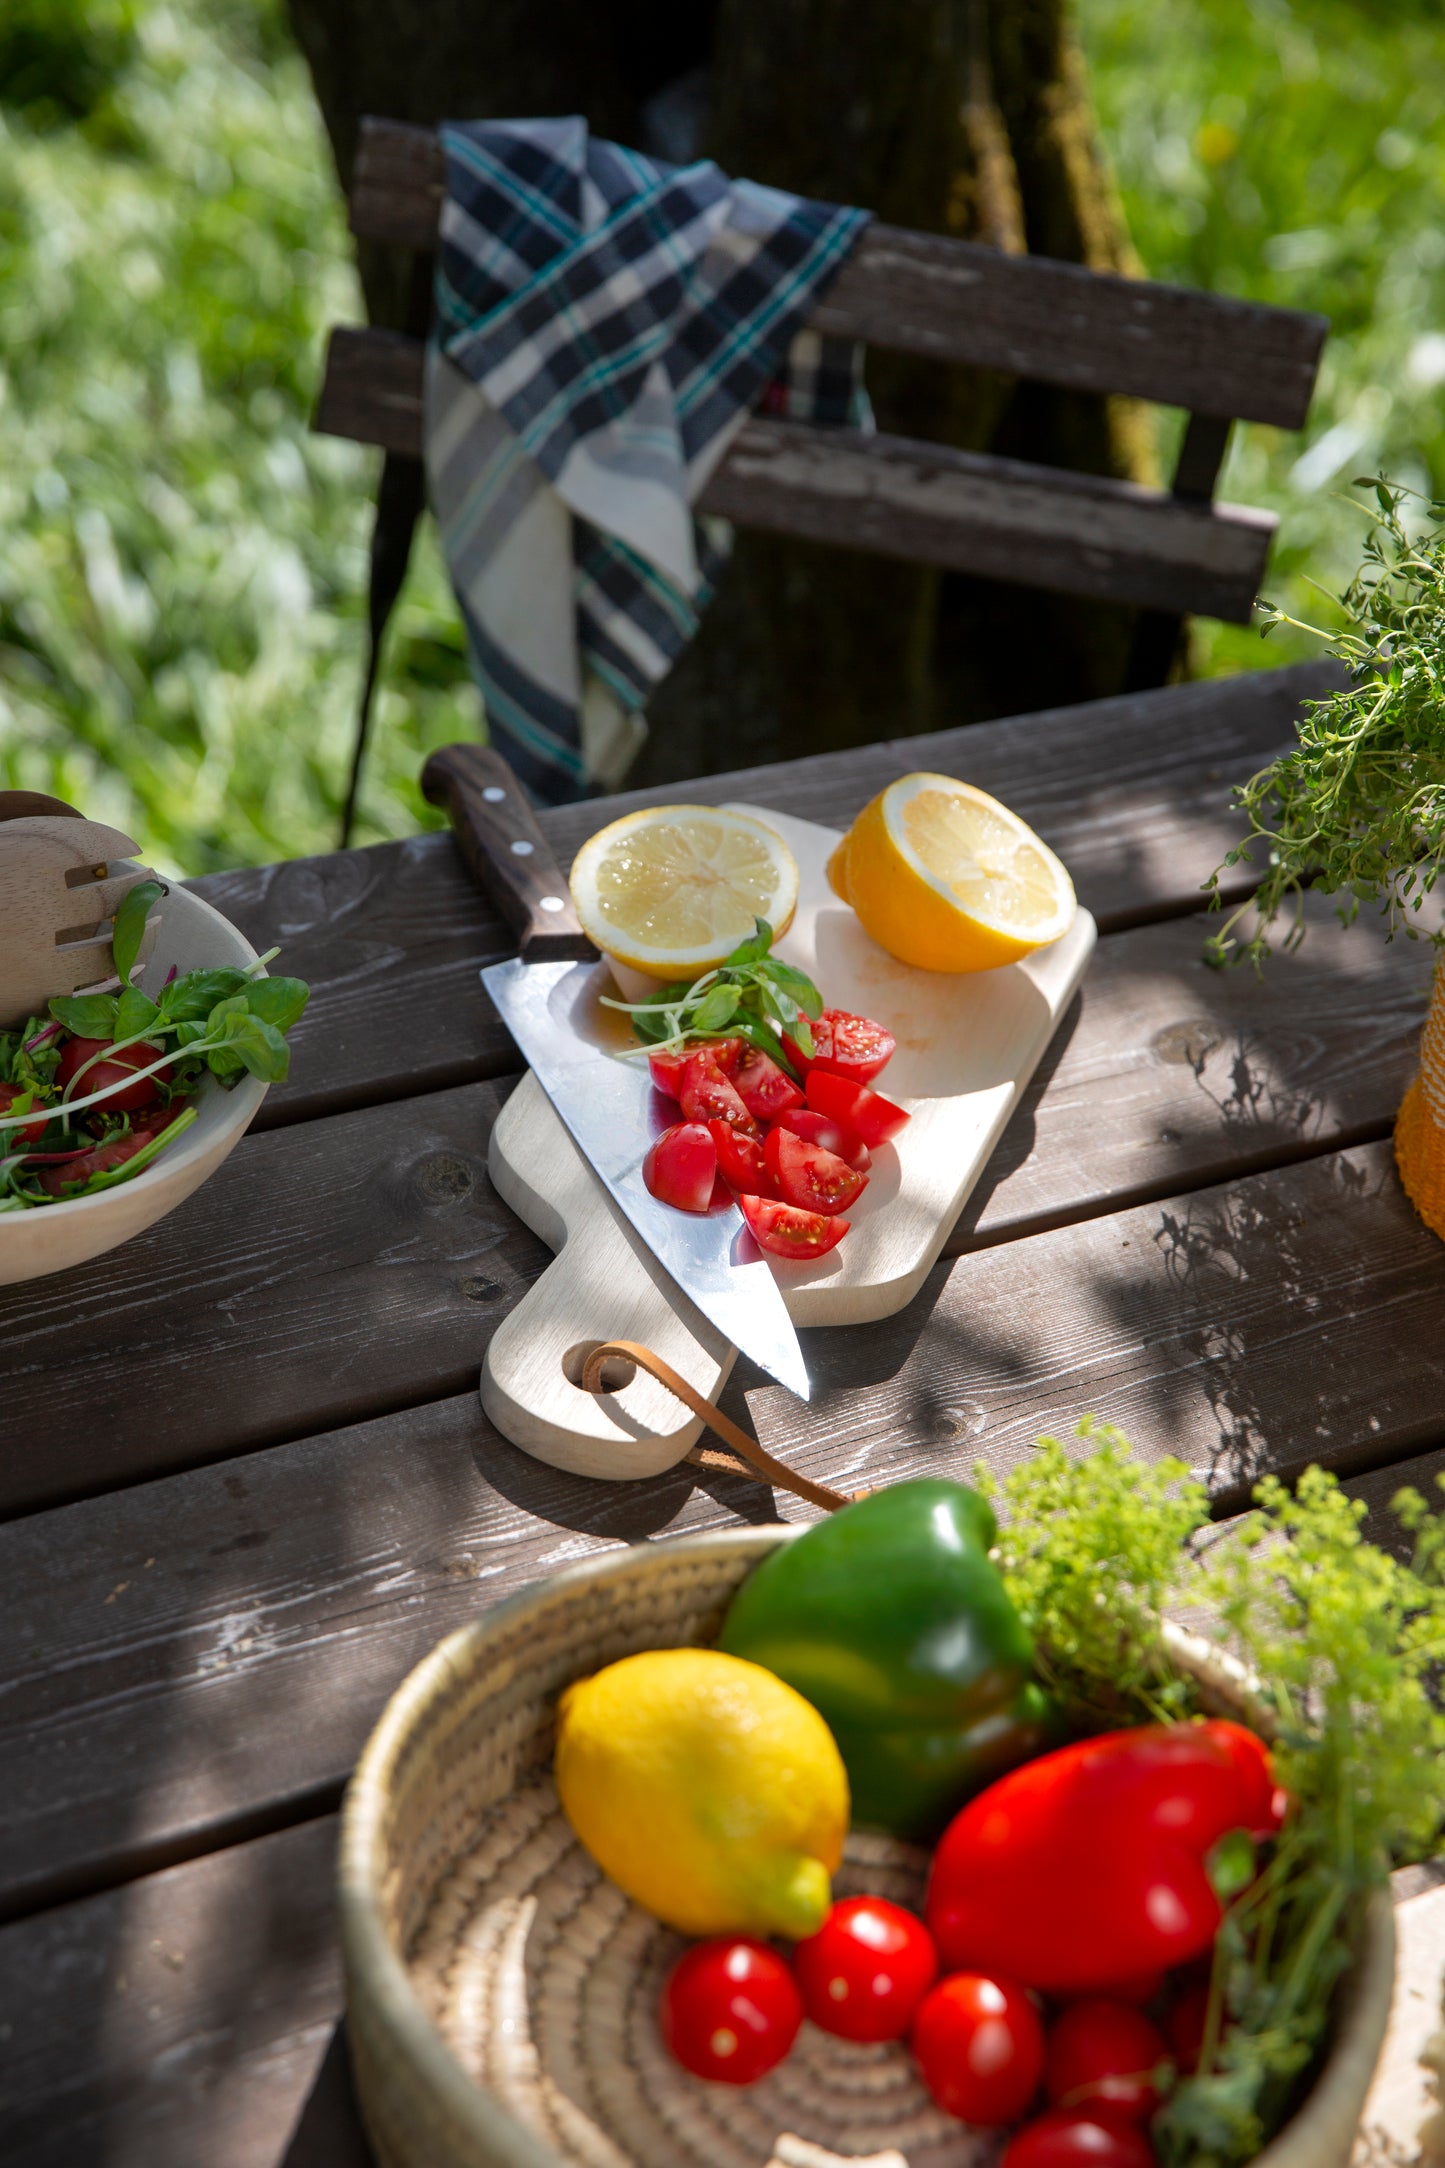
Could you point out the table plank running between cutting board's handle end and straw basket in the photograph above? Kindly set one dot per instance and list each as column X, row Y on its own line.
column 198, row 1653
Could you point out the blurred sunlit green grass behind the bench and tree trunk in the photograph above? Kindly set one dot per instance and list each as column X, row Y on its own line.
column 183, row 565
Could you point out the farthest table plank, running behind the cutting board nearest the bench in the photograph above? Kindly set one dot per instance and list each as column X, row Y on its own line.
column 1132, row 792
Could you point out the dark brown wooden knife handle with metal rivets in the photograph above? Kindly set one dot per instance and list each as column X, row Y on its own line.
column 506, row 851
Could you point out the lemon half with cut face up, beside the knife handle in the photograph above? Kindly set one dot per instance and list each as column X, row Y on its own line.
column 673, row 890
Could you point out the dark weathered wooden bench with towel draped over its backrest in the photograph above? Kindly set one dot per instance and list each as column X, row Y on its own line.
column 1171, row 554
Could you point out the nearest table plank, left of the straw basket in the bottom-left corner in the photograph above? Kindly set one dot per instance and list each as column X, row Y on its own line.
column 174, row 2022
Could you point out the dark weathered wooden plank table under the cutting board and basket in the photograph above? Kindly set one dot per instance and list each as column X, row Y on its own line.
column 246, row 1477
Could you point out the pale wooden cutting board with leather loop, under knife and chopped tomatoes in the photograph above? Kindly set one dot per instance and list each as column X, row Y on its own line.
column 967, row 1048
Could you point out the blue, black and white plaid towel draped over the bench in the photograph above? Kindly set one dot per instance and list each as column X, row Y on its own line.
column 606, row 324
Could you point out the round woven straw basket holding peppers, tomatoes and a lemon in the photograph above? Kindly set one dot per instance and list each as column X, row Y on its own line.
column 504, row 1993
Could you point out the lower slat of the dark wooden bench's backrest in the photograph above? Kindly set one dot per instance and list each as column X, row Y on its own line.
column 965, row 511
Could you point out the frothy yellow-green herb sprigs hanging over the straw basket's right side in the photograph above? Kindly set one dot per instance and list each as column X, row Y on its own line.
column 1346, row 1647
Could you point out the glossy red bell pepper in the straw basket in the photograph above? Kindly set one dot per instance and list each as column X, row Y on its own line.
column 1091, row 1866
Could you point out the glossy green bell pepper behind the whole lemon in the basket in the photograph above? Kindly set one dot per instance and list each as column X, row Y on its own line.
column 894, row 1623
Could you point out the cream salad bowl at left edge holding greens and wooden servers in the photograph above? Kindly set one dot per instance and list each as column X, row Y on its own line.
column 55, row 1237
